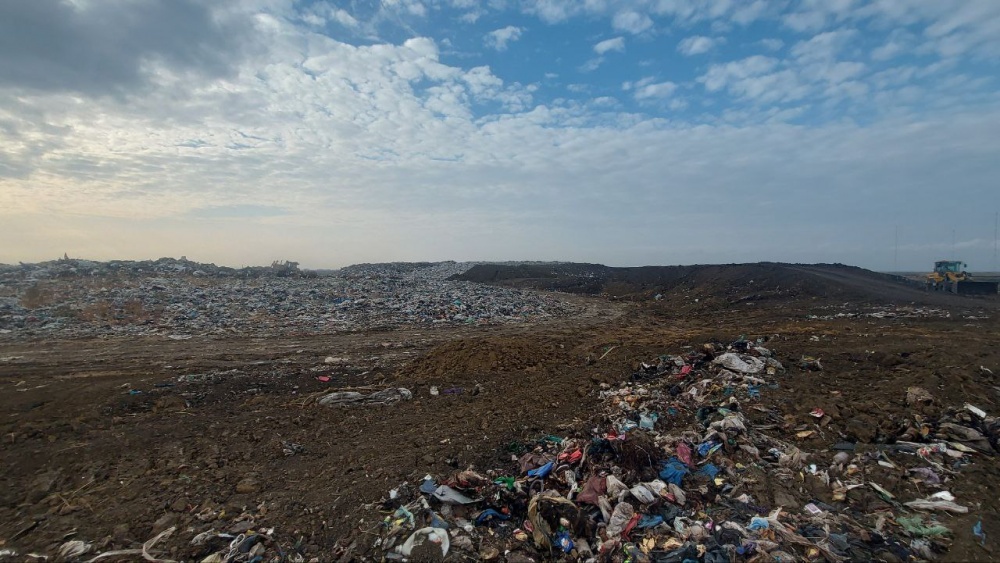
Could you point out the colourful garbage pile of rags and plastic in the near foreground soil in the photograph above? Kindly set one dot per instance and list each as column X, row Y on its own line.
column 684, row 463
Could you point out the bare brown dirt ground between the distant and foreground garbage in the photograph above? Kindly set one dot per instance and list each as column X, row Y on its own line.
column 113, row 440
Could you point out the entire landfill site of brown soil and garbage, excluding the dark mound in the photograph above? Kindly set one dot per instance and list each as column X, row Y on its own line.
column 391, row 412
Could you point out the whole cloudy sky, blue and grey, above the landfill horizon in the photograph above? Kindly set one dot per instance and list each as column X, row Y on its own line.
column 625, row 132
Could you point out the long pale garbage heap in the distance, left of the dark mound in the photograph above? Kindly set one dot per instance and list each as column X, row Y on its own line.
column 180, row 298
